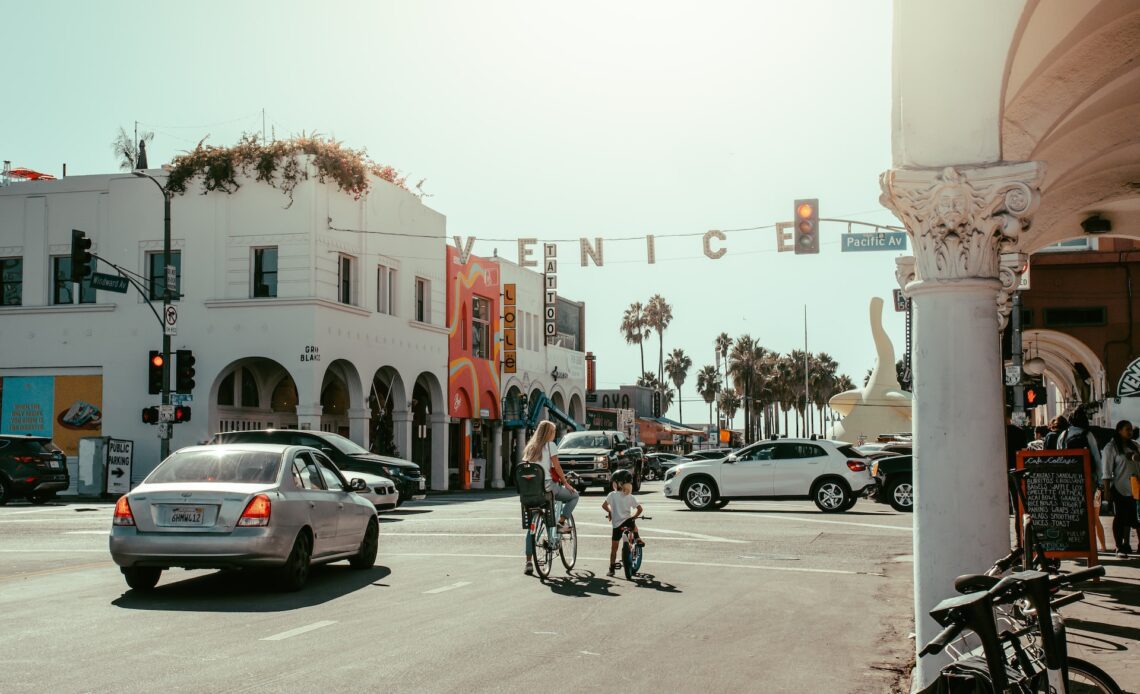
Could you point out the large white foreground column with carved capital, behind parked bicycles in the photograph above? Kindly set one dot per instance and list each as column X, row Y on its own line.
column 960, row 221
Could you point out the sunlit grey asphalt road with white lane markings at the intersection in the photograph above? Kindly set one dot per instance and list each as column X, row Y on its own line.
column 758, row 598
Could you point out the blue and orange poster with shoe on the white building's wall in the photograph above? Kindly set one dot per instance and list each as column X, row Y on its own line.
column 66, row 409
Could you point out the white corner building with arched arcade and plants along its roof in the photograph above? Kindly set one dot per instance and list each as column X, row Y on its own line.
column 325, row 313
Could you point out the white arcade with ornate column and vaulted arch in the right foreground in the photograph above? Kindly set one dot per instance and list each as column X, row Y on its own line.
column 999, row 151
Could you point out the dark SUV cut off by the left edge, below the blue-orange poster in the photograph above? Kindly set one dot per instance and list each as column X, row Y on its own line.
column 31, row 468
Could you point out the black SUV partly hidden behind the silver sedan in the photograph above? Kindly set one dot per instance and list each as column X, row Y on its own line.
column 347, row 455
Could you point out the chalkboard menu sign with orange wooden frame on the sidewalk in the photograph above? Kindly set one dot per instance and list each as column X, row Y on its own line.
column 1058, row 491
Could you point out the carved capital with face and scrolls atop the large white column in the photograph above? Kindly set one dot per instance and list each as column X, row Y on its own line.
column 962, row 218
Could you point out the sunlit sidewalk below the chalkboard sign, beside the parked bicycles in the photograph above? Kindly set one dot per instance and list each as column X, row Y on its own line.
column 1105, row 627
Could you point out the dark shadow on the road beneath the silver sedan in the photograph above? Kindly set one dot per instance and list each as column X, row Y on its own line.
column 250, row 592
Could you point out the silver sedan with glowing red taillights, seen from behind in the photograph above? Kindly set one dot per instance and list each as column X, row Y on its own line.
column 242, row 507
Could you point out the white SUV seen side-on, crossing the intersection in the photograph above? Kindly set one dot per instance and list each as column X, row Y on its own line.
column 830, row 473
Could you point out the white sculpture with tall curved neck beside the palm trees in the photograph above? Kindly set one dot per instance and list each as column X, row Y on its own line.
column 881, row 407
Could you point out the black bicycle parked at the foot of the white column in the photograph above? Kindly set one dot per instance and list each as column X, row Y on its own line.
column 1004, row 662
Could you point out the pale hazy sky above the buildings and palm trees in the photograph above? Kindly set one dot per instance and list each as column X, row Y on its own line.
column 528, row 119
